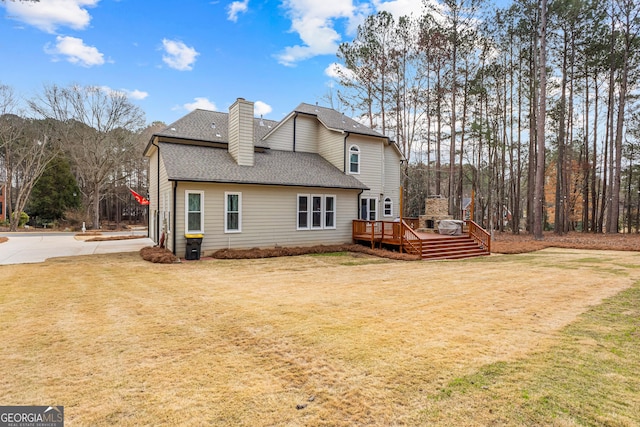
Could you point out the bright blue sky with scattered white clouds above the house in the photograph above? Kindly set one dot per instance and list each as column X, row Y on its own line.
column 173, row 56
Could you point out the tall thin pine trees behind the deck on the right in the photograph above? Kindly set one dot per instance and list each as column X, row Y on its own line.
column 495, row 103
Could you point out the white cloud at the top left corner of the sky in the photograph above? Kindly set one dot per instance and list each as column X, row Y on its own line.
column 48, row 15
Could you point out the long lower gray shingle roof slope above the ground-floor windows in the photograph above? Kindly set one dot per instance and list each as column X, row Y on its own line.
column 272, row 167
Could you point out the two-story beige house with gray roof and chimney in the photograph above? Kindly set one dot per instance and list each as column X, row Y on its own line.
column 246, row 182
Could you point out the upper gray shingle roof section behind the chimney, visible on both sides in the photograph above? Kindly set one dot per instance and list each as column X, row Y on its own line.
column 212, row 126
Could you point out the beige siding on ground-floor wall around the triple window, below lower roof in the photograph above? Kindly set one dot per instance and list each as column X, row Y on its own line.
column 269, row 217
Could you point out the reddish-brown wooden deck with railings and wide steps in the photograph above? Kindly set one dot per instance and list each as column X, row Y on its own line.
column 474, row 241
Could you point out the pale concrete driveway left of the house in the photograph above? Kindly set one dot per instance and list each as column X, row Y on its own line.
column 33, row 247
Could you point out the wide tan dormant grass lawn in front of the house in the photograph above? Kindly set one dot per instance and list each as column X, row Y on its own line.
column 545, row 338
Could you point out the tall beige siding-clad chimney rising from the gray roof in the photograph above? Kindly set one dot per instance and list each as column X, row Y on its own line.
column 241, row 132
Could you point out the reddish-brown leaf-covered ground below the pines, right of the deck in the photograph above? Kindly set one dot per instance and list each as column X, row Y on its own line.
column 507, row 243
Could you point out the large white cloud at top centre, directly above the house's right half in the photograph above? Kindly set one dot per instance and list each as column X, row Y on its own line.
column 314, row 22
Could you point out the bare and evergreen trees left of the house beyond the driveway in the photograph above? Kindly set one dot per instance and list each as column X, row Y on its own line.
column 75, row 147
